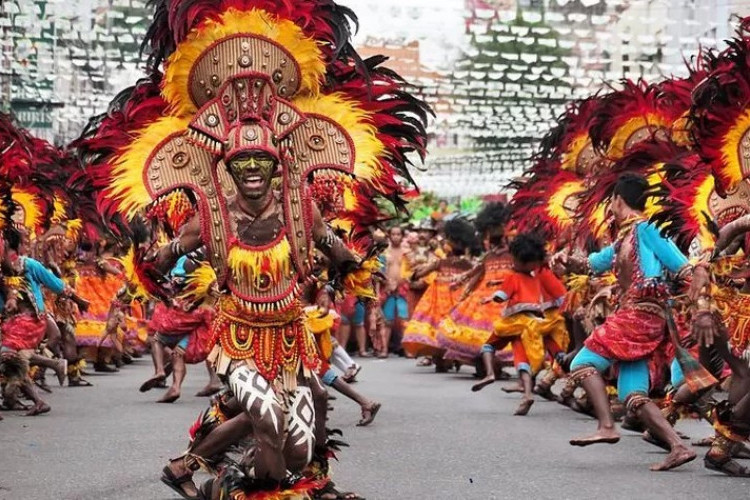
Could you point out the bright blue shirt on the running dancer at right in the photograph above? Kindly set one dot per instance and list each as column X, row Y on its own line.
column 656, row 254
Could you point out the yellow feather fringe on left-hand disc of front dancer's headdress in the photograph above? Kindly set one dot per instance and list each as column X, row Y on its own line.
column 127, row 177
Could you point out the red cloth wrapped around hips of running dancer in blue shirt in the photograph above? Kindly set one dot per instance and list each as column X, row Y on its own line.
column 628, row 334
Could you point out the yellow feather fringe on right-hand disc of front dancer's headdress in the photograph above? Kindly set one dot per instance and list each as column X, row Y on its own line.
column 368, row 149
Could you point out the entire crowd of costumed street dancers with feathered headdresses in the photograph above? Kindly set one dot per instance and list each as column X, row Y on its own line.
column 229, row 210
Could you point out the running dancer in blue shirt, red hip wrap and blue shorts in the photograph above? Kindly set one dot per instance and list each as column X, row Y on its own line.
column 629, row 336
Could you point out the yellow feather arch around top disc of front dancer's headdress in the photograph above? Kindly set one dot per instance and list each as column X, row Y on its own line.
column 234, row 22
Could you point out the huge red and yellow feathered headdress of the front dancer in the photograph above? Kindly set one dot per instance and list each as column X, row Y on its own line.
column 256, row 75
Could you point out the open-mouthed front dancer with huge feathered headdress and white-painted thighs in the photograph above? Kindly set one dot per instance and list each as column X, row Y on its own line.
column 247, row 95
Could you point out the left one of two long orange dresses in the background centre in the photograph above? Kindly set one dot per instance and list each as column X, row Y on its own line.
column 420, row 335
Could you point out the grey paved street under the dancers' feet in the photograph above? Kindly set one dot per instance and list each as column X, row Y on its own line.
column 433, row 439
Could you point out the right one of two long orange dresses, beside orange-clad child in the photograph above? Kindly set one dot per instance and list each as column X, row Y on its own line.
column 466, row 328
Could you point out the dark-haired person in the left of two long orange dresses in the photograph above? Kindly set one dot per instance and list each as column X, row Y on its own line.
column 420, row 335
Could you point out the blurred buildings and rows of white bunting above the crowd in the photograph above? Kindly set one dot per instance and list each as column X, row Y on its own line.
column 497, row 72
